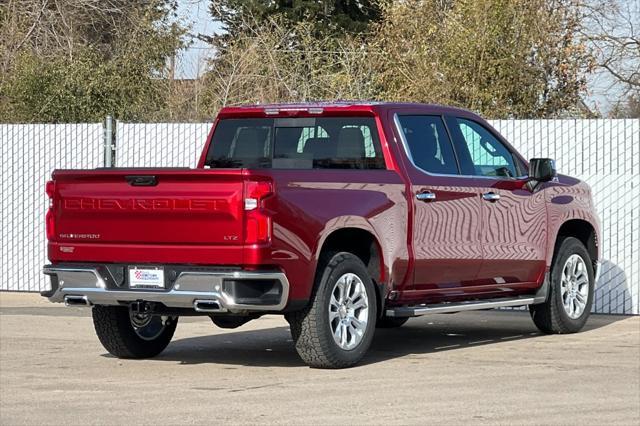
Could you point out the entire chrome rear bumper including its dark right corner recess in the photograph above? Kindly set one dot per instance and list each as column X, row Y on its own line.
column 235, row 291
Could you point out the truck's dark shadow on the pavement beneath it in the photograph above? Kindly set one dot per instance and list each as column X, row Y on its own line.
column 420, row 336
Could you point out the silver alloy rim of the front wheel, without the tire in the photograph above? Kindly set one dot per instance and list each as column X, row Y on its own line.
column 574, row 286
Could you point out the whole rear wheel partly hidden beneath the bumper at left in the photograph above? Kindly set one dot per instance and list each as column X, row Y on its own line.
column 132, row 335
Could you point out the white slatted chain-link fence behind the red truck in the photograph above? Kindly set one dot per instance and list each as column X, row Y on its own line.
column 605, row 153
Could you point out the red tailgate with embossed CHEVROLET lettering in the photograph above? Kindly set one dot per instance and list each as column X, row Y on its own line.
column 148, row 206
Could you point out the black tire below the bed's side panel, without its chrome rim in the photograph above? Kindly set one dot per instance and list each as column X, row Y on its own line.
column 310, row 327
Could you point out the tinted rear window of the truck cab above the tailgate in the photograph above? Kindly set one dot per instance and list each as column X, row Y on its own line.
column 296, row 143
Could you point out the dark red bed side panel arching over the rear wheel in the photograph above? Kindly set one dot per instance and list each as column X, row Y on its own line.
column 311, row 204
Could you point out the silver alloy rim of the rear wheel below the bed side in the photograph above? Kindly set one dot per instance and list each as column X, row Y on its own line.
column 348, row 311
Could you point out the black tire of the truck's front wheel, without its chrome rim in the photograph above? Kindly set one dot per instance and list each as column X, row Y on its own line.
column 551, row 317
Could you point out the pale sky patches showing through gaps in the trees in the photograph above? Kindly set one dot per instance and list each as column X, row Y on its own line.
column 192, row 62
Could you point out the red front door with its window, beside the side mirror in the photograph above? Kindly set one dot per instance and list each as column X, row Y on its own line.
column 514, row 231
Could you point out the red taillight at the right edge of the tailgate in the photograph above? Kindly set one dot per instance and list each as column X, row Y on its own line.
column 257, row 221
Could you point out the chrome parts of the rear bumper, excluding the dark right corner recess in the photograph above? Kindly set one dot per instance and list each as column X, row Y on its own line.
column 202, row 291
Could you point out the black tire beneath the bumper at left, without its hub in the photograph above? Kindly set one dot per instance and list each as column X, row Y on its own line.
column 118, row 336
